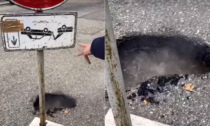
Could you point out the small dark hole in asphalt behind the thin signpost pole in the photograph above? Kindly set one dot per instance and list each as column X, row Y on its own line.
column 55, row 102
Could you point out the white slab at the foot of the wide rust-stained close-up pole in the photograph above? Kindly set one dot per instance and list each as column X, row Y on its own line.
column 136, row 120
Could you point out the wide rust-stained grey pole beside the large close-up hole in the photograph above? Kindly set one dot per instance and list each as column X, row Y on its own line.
column 114, row 77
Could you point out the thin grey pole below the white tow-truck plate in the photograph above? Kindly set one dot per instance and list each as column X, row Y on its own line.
column 40, row 56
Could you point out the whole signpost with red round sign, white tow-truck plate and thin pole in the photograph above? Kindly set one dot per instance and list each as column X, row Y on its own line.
column 39, row 31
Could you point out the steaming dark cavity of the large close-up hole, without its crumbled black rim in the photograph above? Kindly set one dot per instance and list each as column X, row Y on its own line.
column 145, row 56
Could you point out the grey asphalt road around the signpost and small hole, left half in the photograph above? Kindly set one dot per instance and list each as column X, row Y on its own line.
column 64, row 72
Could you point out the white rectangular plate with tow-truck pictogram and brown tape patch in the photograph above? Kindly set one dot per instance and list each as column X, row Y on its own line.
column 38, row 31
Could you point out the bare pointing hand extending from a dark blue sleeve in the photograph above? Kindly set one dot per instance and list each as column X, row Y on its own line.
column 85, row 52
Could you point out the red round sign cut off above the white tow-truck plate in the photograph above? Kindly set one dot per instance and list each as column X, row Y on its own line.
column 38, row 4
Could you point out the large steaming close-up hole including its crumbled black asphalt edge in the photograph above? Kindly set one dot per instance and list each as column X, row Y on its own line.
column 159, row 62
